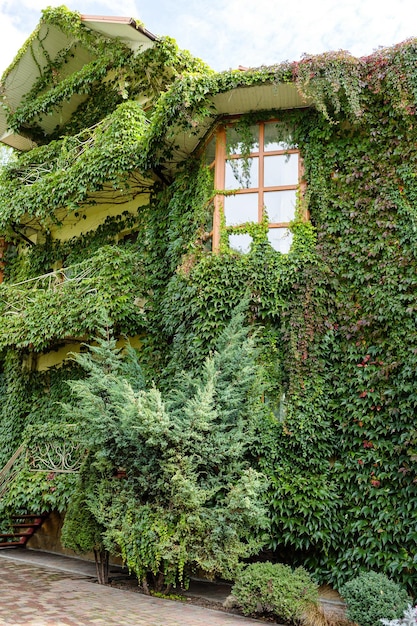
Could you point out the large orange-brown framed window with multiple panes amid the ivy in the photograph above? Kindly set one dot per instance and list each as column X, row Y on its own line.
column 266, row 179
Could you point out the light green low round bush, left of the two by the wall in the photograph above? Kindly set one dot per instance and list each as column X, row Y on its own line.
column 275, row 589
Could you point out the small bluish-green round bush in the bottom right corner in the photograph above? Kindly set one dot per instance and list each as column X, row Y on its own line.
column 371, row 597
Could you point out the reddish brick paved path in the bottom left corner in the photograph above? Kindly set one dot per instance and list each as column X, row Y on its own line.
column 34, row 596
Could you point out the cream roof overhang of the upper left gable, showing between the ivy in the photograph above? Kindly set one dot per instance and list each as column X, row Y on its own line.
column 25, row 72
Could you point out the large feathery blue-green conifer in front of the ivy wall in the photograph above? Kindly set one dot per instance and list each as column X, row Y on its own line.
column 191, row 498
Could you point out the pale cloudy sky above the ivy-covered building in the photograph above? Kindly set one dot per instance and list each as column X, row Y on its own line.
column 229, row 33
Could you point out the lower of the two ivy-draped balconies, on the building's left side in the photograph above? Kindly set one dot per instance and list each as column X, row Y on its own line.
column 71, row 303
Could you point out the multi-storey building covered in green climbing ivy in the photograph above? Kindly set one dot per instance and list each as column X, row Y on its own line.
column 149, row 194
